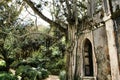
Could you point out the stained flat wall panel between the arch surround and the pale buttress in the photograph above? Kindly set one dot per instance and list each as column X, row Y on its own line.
column 102, row 54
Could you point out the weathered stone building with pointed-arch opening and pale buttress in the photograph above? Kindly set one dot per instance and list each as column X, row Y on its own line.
column 98, row 52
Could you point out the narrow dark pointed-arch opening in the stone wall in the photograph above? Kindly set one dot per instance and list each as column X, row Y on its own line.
column 88, row 58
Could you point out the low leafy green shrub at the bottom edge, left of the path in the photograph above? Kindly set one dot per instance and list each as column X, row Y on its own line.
column 31, row 73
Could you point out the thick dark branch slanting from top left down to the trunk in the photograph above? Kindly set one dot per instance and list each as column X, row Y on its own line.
column 30, row 3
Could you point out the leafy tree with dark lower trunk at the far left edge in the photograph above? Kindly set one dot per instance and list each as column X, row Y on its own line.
column 8, row 17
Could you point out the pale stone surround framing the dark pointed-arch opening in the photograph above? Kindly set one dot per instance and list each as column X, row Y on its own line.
column 80, row 69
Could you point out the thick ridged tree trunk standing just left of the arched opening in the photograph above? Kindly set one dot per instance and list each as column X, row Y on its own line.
column 71, row 52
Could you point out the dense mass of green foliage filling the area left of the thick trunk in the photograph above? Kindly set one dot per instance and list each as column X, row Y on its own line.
column 29, row 54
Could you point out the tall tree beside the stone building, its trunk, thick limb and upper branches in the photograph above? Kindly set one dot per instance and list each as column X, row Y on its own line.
column 66, row 16
